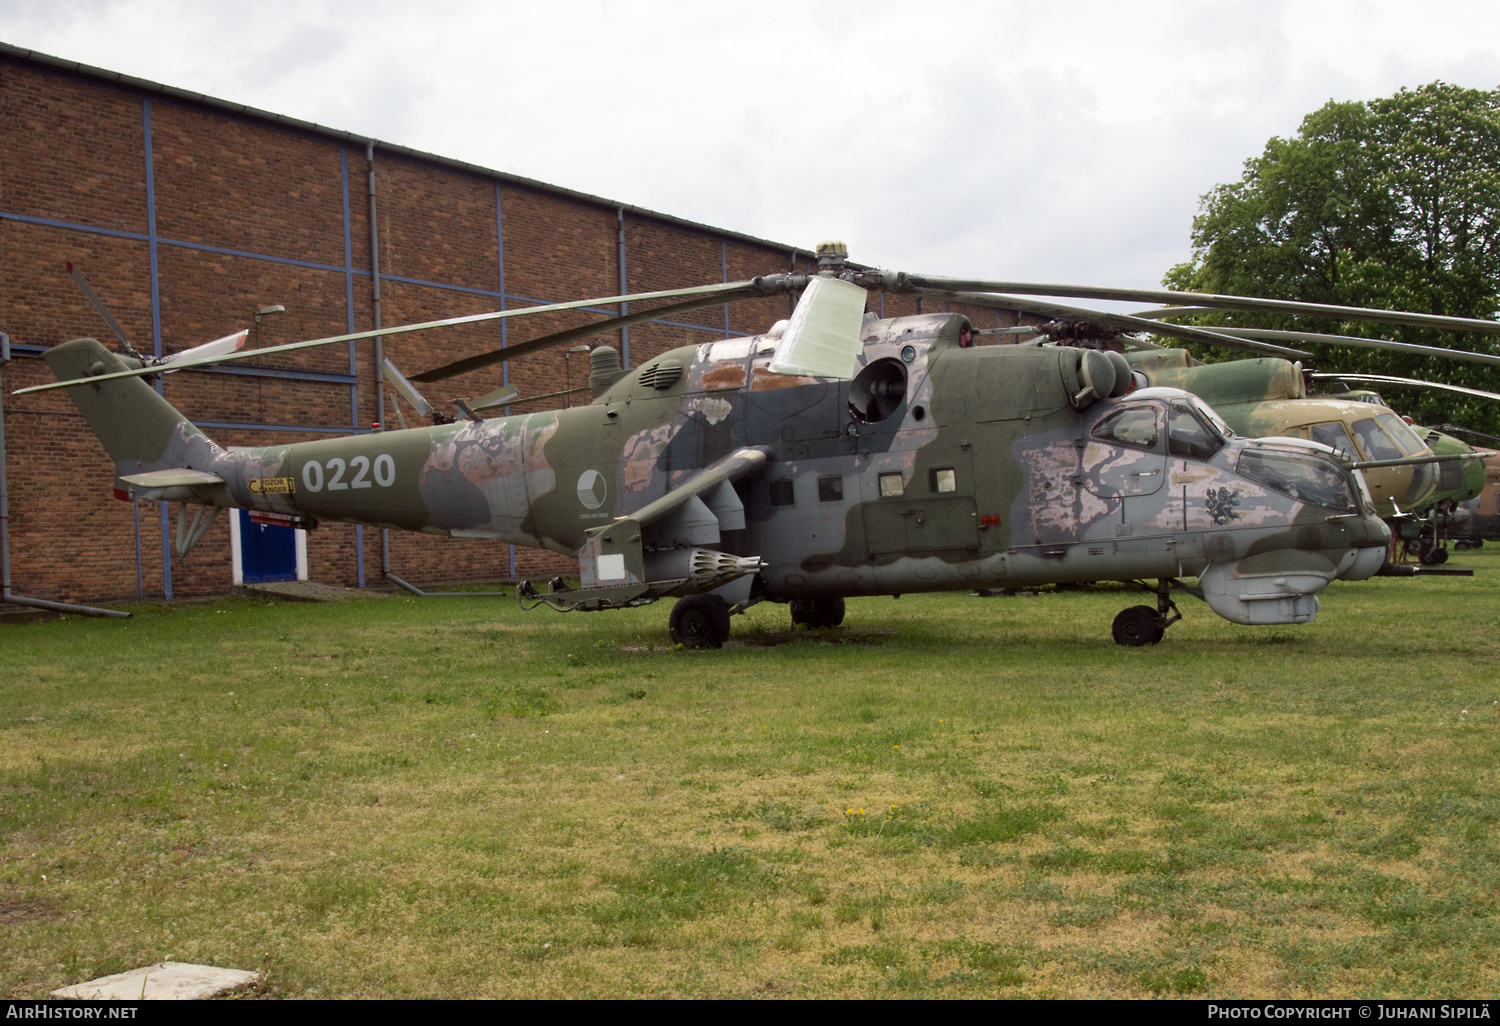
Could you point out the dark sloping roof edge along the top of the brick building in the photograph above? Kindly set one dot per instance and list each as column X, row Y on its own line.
column 242, row 110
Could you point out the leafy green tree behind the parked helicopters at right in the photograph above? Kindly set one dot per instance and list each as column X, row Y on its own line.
column 1391, row 203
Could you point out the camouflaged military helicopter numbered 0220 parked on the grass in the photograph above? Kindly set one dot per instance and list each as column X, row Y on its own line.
column 836, row 455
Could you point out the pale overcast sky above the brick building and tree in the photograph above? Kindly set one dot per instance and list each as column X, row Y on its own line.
column 1045, row 142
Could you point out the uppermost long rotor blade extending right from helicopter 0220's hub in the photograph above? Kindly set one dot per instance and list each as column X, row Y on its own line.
column 899, row 280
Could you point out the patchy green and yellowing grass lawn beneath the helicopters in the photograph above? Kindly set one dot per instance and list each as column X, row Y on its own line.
column 947, row 797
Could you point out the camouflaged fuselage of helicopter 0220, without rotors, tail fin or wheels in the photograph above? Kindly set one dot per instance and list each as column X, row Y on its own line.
column 934, row 467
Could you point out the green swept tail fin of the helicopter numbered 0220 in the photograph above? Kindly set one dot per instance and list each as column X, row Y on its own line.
column 139, row 428
